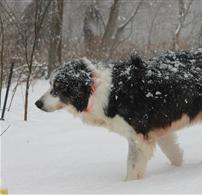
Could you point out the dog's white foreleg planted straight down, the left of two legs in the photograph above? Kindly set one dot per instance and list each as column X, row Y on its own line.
column 139, row 154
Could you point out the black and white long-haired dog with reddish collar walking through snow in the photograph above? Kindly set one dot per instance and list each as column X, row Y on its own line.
column 145, row 101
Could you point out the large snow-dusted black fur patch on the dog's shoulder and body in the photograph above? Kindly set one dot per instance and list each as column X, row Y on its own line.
column 154, row 93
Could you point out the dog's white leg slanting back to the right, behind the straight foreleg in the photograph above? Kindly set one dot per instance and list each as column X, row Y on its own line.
column 171, row 148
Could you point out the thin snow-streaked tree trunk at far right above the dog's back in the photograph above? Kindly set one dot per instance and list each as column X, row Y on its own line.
column 184, row 9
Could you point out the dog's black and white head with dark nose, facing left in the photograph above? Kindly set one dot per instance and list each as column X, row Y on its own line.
column 70, row 84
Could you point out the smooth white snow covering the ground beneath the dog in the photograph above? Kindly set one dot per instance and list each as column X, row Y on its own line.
column 55, row 153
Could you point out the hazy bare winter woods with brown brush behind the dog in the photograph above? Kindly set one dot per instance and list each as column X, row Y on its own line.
column 38, row 35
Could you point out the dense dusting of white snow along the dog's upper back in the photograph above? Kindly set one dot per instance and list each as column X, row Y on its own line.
column 182, row 65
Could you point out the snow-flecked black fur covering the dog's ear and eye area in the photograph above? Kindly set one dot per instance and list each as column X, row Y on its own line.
column 72, row 84
